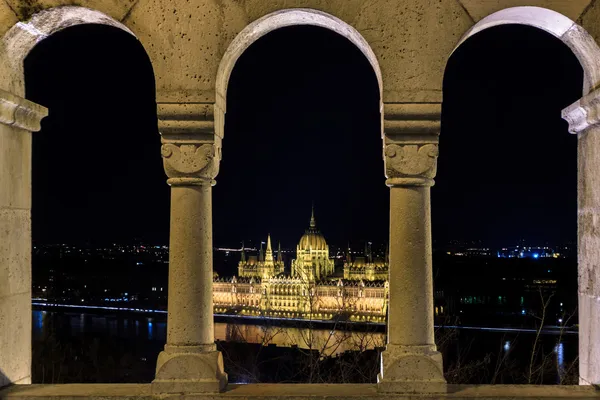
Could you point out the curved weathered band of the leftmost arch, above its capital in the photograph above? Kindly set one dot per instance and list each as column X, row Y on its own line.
column 24, row 36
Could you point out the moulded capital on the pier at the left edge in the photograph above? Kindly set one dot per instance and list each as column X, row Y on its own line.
column 20, row 113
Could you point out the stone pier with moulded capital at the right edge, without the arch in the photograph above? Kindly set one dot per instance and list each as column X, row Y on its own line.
column 584, row 120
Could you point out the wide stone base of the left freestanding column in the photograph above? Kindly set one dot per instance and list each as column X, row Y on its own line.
column 189, row 369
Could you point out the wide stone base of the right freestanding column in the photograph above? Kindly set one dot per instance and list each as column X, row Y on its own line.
column 411, row 369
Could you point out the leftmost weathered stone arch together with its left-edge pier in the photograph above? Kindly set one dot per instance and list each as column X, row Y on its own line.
column 19, row 118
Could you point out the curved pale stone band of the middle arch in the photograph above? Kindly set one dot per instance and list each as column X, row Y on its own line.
column 271, row 22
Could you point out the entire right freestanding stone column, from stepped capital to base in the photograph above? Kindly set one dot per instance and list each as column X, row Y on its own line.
column 411, row 362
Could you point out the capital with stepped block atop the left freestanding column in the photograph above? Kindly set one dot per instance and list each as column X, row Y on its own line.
column 191, row 149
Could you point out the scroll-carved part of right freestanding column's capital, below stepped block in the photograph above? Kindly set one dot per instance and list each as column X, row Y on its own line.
column 407, row 164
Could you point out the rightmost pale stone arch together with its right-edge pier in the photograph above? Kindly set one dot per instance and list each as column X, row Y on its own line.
column 583, row 119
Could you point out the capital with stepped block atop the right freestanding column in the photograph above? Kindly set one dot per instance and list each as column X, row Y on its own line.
column 411, row 136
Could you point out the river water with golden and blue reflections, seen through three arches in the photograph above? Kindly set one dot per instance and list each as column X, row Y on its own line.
column 145, row 337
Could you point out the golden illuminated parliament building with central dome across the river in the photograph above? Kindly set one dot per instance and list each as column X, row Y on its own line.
column 311, row 291
